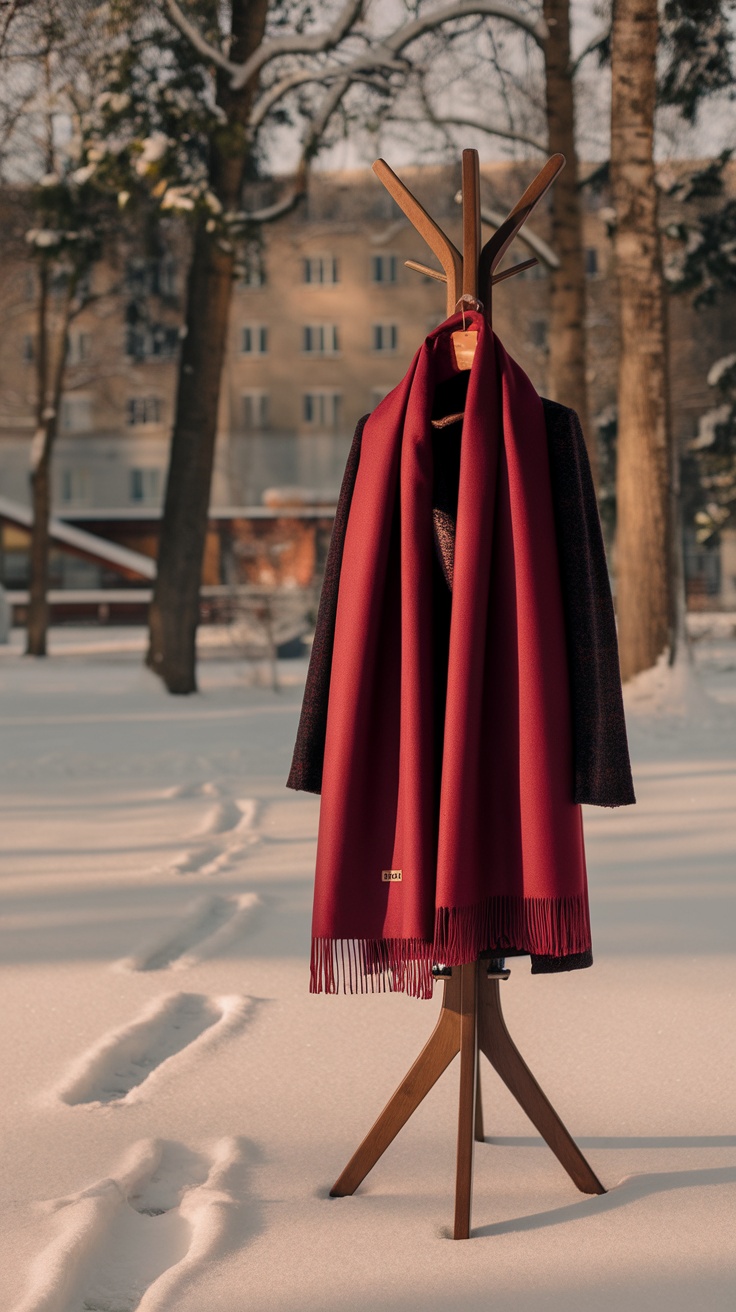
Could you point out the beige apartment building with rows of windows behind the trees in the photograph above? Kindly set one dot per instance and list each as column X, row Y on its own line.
column 323, row 326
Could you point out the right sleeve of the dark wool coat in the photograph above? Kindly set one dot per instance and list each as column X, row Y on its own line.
column 603, row 769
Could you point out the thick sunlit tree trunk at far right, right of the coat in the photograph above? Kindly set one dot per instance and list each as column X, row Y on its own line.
column 644, row 480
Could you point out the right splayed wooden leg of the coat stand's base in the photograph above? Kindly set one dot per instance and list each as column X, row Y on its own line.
column 504, row 1057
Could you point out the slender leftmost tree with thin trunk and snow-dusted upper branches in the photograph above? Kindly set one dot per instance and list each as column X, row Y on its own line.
column 47, row 58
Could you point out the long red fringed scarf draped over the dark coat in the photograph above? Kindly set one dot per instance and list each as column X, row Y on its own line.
column 410, row 873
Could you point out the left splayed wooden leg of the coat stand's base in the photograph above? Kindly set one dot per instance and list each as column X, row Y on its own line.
column 435, row 1058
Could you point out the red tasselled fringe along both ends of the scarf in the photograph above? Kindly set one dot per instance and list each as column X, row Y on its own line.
column 544, row 927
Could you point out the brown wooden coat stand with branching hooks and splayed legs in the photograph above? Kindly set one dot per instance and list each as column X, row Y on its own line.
column 470, row 1020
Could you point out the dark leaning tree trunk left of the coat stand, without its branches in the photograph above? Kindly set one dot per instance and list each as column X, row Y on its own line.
column 175, row 609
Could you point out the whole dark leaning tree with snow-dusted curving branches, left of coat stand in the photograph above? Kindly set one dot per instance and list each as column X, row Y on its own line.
column 259, row 69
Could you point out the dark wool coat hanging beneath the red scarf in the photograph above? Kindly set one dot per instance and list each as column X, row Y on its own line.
column 602, row 766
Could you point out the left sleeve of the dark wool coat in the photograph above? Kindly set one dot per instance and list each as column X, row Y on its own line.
column 309, row 750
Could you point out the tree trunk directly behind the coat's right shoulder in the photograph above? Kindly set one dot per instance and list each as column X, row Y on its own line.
column 569, row 356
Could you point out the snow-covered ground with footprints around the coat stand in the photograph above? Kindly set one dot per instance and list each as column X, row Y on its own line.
column 175, row 1105
